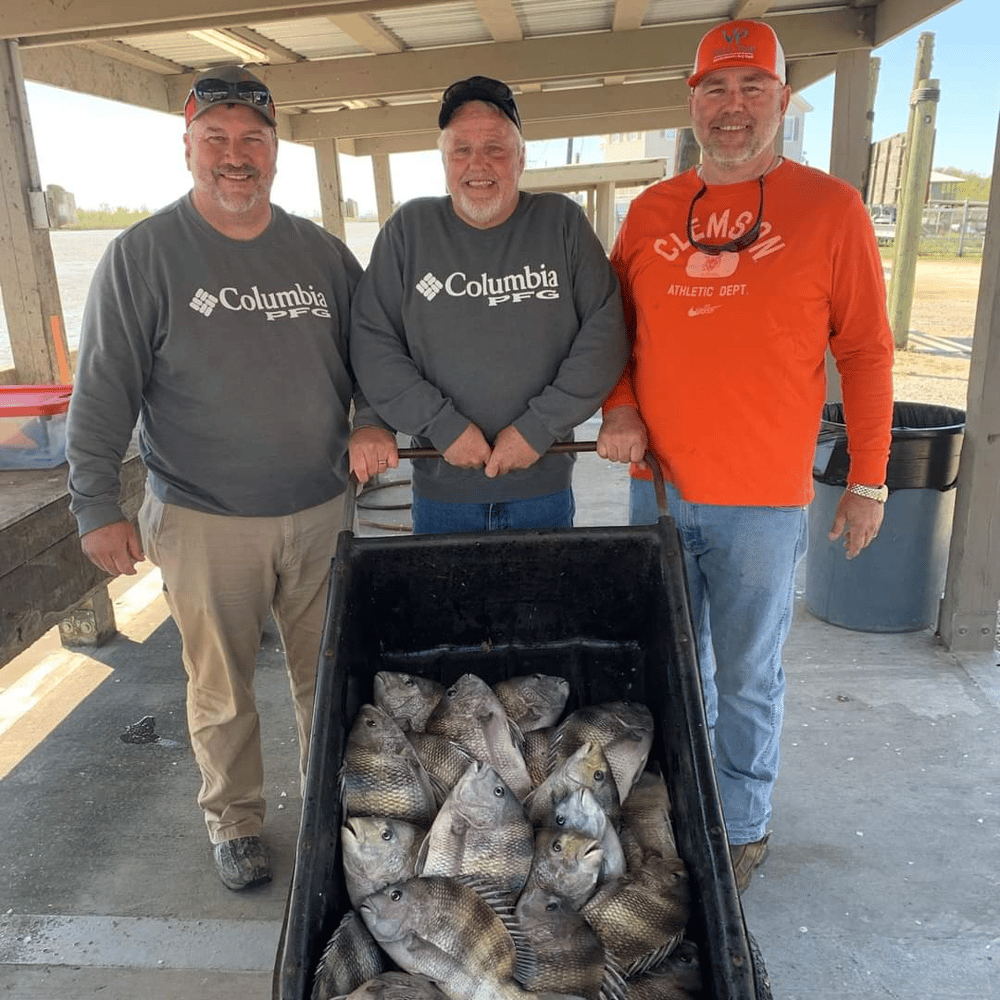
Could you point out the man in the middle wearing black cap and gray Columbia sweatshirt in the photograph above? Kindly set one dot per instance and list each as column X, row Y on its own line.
column 488, row 325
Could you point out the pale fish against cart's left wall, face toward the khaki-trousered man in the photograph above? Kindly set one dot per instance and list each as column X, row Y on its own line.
column 378, row 850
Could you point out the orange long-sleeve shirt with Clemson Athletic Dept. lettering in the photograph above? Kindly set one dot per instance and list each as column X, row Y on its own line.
column 728, row 363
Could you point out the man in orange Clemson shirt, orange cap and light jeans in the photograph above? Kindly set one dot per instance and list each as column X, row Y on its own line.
column 736, row 277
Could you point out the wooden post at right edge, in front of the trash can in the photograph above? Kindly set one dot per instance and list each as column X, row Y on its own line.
column 968, row 619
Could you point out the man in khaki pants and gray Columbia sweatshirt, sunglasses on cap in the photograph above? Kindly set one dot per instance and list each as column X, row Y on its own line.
column 222, row 322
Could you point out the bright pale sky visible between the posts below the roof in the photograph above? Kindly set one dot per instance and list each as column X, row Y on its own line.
column 107, row 153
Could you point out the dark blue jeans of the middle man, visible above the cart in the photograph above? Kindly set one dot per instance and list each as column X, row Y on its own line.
column 434, row 517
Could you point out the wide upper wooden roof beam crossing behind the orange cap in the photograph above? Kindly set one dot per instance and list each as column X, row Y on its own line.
column 651, row 50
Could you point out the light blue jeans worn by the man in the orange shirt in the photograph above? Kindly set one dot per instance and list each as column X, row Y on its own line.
column 740, row 564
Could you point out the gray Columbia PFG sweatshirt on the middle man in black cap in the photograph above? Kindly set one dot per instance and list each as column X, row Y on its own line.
column 518, row 324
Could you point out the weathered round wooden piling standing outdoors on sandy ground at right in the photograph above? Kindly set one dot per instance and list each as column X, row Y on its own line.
column 910, row 212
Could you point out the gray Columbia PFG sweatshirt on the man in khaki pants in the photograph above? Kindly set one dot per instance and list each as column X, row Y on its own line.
column 231, row 354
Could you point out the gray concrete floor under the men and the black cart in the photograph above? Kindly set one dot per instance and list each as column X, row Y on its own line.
column 883, row 878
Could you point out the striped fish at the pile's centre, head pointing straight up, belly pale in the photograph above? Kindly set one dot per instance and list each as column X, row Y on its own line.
column 481, row 831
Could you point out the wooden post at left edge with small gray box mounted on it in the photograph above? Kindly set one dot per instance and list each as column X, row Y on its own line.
column 28, row 282
